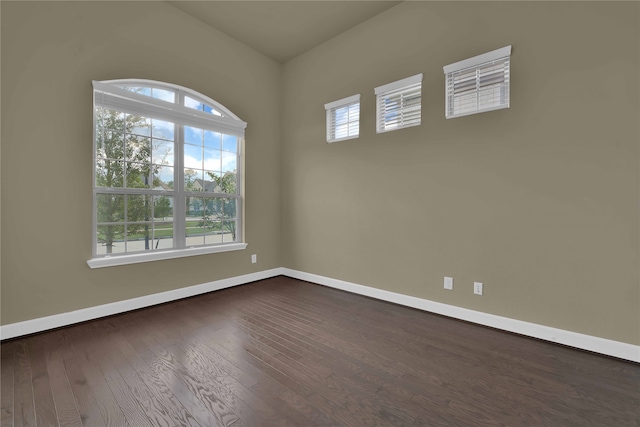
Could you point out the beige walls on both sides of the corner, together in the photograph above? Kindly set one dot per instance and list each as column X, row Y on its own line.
column 540, row 201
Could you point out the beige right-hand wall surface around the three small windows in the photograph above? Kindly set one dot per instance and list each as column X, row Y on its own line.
column 539, row 201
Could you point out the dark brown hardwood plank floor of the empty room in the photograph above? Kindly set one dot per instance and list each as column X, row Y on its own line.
column 282, row 352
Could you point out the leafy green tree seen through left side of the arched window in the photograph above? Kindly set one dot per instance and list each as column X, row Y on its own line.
column 123, row 159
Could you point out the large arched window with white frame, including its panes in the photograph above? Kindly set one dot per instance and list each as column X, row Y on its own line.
column 167, row 173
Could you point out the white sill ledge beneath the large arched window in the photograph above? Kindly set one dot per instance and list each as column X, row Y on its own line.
column 111, row 261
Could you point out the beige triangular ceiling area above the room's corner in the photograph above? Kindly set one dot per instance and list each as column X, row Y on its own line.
column 283, row 30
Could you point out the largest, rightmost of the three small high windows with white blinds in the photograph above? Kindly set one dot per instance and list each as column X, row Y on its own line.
column 478, row 84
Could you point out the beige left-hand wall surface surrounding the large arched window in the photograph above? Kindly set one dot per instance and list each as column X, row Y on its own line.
column 50, row 53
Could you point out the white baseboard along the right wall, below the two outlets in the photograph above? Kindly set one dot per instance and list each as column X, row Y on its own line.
column 586, row 342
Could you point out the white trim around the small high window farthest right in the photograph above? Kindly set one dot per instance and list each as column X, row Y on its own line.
column 476, row 62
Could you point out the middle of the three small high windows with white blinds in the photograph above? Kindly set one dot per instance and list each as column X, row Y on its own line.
column 399, row 104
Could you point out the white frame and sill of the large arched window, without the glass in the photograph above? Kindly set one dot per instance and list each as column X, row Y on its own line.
column 109, row 94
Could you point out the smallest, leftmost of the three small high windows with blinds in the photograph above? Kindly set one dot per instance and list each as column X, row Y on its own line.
column 343, row 119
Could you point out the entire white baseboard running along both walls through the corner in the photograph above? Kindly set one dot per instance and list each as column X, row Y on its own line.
column 586, row 342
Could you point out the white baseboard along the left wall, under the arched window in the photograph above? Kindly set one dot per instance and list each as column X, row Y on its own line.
column 41, row 324
